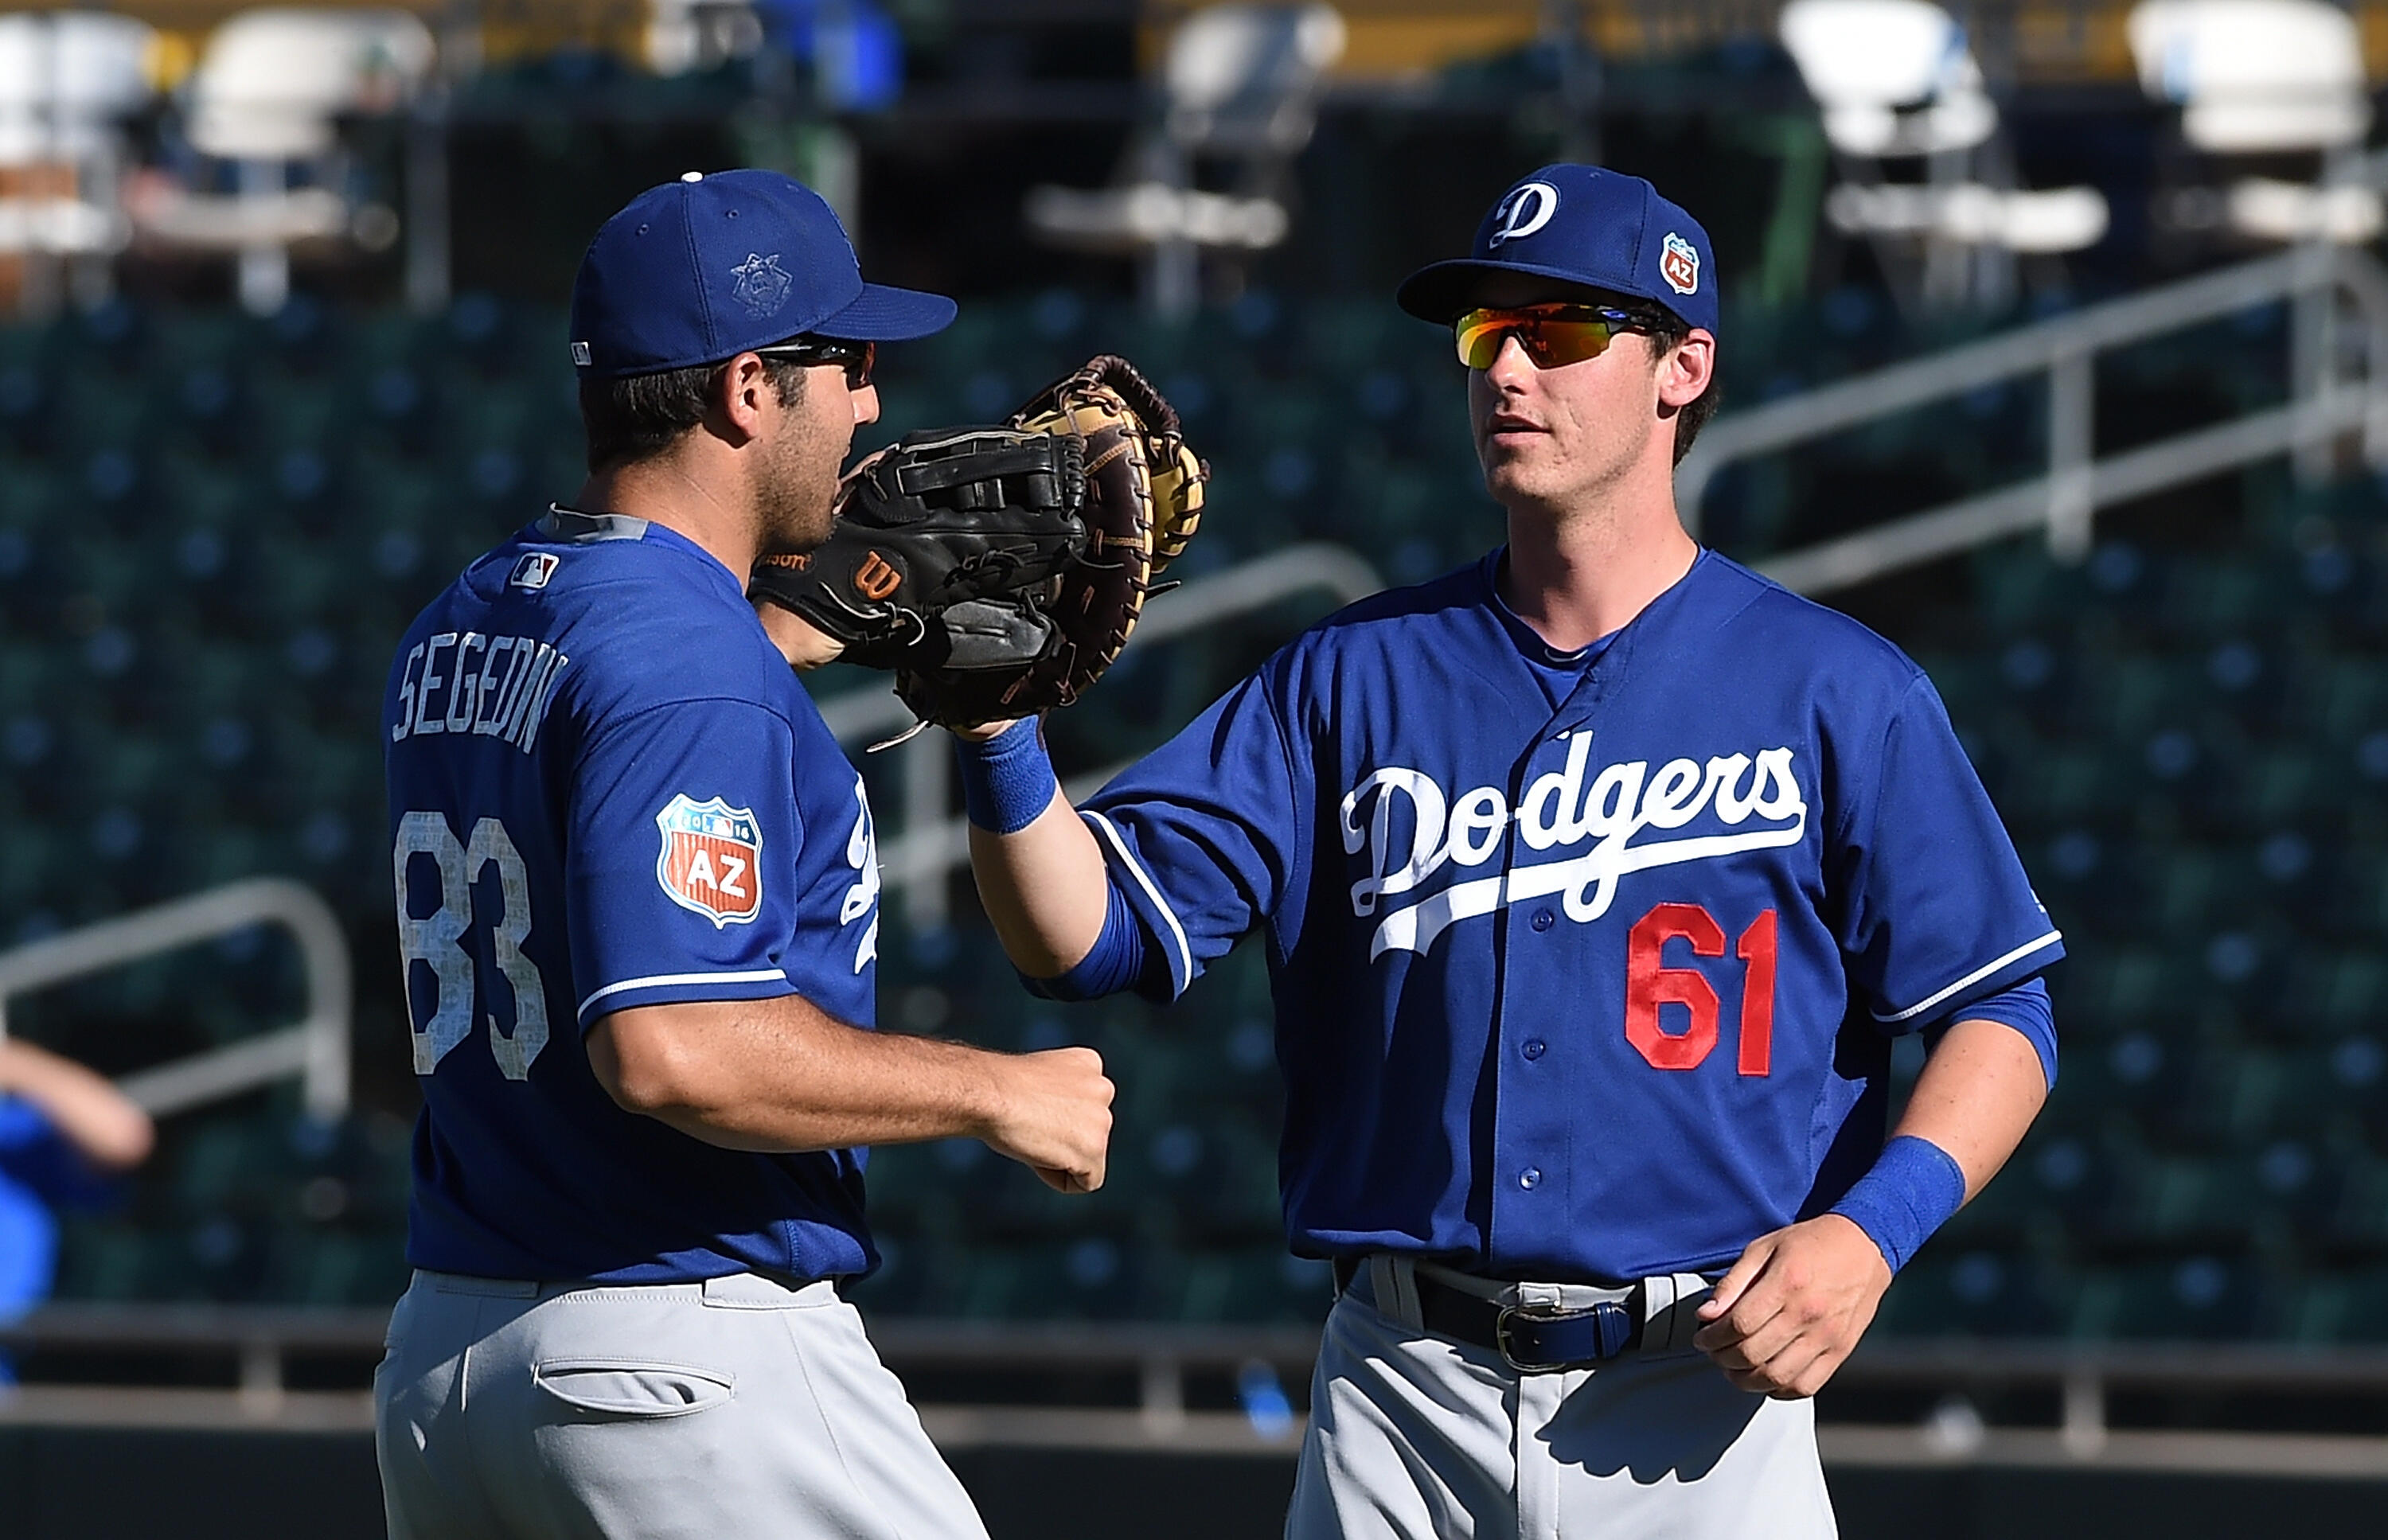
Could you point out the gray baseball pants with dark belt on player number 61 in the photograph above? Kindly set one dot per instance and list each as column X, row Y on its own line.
column 1424, row 1439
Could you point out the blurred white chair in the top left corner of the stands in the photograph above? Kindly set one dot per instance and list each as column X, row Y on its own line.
column 68, row 80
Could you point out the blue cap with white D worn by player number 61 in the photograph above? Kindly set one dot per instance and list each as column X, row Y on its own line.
column 1580, row 226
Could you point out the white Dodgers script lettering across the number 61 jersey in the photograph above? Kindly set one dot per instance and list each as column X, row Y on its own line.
column 1558, row 813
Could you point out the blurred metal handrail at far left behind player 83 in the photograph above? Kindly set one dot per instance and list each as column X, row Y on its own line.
column 316, row 1049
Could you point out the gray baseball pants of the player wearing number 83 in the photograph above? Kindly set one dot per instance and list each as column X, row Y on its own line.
column 653, row 1412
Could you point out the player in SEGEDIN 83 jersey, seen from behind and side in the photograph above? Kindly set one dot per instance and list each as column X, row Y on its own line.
column 639, row 916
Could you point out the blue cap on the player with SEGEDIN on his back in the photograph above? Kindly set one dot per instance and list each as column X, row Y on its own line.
column 706, row 269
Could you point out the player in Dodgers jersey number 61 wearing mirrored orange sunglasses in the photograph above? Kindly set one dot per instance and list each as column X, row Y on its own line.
column 1596, row 880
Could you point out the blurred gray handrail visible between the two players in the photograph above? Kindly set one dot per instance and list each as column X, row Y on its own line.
column 930, row 842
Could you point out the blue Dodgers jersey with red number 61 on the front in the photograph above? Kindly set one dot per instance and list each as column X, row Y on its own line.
column 1563, row 990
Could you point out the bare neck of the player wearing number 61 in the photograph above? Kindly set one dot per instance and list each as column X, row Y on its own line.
column 1582, row 574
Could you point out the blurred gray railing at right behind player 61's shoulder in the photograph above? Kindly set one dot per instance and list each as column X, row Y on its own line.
column 2064, row 500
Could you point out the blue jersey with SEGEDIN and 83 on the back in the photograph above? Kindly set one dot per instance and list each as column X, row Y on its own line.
column 608, row 791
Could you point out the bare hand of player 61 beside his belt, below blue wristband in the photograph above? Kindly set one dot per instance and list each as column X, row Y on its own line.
column 1792, row 1310
